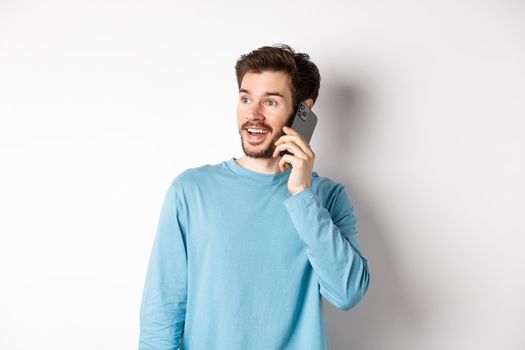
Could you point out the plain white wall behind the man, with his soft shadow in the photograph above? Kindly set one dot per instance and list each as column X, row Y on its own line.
column 422, row 108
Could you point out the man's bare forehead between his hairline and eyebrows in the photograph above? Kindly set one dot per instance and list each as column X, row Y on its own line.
column 267, row 81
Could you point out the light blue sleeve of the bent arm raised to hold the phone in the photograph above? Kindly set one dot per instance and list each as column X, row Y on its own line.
column 331, row 245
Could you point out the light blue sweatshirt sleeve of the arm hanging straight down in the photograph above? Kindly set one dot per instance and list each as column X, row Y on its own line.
column 163, row 308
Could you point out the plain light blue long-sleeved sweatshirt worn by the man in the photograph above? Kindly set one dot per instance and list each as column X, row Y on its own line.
column 238, row 263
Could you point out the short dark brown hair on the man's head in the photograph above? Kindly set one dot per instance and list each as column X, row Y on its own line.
column 306, row 79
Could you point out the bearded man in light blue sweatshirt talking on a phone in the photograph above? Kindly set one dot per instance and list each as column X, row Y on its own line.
column 246, row 248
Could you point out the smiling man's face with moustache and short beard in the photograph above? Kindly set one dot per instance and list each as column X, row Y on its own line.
column 265, row 104
